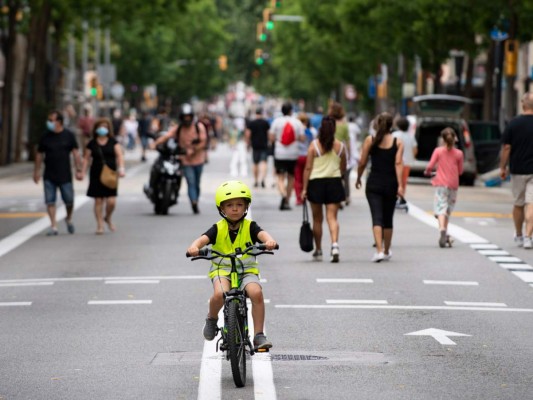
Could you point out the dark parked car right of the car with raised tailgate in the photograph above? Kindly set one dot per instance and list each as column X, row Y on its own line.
column 487, row 139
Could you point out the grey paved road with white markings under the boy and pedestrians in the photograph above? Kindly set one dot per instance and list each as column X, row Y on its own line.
column 119, row 316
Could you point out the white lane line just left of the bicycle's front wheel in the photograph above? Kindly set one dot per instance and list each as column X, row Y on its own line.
column 209, row 386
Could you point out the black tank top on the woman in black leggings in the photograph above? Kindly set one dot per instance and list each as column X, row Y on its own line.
column 382, row 175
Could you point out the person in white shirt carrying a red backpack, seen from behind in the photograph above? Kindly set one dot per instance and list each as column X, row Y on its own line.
column 285, row 133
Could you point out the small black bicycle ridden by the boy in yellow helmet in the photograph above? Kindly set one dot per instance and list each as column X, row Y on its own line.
column 235, row 339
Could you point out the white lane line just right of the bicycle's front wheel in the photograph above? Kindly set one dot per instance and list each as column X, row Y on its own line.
column 263, row 375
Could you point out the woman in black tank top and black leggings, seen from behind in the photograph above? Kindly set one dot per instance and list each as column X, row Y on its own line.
column 384, row 182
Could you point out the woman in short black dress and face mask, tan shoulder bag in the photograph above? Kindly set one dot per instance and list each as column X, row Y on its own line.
column 103, row 148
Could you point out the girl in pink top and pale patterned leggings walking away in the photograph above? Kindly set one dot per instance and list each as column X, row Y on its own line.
column 449, row 163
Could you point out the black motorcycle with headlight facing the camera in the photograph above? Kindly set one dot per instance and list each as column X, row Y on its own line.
column 165, row 177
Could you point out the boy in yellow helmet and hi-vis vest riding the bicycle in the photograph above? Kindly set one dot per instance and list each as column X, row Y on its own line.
column 233, row 199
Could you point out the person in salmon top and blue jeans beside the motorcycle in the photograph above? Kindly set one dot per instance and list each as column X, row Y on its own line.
column 192, row 138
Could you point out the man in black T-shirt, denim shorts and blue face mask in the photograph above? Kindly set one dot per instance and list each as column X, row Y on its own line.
column 56, row 145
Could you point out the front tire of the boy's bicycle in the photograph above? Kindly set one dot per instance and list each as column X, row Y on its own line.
column 236, row 344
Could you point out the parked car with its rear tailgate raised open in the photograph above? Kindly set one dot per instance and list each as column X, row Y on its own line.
column 434, row 113
